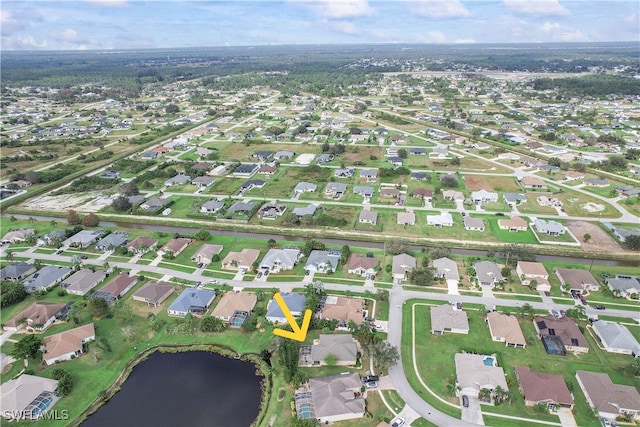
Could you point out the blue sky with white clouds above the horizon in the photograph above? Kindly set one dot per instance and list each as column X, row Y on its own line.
column 133, row 24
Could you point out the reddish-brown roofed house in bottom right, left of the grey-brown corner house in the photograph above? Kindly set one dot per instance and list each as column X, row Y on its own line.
column 542, row 388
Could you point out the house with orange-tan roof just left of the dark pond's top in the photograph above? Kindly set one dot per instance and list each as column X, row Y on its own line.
column 68, row 344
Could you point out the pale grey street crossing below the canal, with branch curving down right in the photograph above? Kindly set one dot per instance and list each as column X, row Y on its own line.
column 398, row 297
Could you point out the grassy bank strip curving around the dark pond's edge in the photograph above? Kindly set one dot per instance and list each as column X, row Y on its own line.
column 103, row 396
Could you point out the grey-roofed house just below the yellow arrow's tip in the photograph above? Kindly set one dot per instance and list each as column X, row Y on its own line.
column 343, row 347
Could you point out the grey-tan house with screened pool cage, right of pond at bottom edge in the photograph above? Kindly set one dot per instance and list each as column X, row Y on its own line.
column 330, row 399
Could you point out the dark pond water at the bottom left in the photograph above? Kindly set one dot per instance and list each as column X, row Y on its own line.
column 194, row 388
